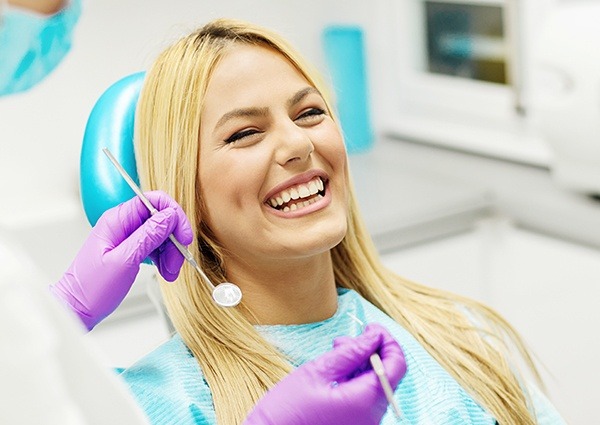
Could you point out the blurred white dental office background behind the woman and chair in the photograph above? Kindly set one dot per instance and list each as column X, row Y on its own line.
column 474, row 136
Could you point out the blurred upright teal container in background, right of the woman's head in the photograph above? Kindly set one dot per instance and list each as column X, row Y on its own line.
column 345, row 57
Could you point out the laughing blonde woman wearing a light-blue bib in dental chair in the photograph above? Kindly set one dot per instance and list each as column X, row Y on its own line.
column 236, row 127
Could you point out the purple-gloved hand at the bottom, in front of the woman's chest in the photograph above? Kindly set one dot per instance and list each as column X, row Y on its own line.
column 339, row 387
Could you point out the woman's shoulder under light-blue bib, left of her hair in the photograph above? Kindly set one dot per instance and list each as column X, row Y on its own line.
column 169, row 385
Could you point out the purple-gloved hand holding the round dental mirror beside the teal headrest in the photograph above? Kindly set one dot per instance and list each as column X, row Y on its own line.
column 109, row 260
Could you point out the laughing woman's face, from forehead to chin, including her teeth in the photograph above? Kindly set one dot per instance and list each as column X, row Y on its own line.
column 265, row 140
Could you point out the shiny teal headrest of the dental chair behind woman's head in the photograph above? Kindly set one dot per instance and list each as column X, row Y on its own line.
column 110, row 125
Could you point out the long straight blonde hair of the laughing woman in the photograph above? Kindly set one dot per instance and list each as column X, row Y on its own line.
column 234, row 358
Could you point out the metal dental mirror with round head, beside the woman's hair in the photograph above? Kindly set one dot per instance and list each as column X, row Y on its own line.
column 225, row 294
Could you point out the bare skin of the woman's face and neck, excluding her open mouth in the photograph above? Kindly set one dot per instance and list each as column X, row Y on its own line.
column 281, row 261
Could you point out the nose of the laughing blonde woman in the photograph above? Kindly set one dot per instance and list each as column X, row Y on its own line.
column 293, row 144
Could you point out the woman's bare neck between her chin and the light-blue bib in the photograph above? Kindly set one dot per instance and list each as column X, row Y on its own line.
column 294, row 292
